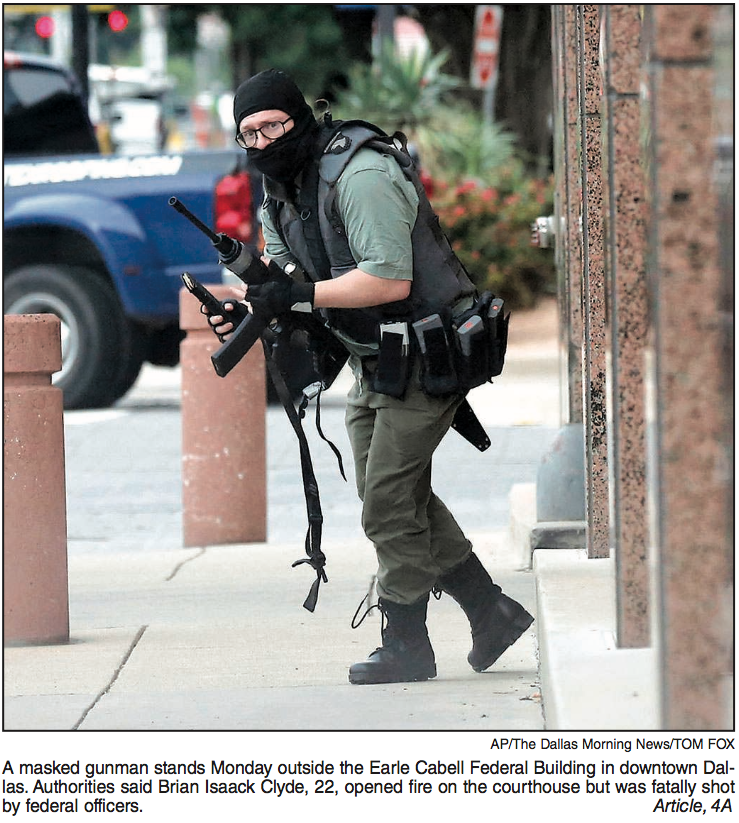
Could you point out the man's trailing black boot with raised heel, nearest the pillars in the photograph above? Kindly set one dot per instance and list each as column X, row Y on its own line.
column 496, row 620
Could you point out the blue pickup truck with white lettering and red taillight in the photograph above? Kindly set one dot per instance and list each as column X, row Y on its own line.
column 92, row 239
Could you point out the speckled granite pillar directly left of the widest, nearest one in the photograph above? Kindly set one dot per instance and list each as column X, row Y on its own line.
column 625, row 212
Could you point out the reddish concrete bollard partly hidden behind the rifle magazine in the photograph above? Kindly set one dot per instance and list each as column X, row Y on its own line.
column 224, row 475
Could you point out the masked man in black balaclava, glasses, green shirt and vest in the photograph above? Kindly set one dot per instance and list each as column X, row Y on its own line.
column 346, row 217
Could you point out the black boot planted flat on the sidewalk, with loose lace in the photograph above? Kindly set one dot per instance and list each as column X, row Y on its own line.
column 406, row 653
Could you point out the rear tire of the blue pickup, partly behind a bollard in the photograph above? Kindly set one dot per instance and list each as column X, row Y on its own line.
column 101, row 349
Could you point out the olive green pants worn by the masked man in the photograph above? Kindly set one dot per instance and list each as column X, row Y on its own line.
column 414, row 534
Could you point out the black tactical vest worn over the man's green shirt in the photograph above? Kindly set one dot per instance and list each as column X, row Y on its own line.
column 313, row 231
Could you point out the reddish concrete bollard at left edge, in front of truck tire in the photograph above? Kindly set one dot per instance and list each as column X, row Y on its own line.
column 35, row 590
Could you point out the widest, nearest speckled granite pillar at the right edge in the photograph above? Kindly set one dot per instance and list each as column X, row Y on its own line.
column 688, row 458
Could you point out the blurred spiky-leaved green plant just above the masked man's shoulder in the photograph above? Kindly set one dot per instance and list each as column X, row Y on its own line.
column 396, row 92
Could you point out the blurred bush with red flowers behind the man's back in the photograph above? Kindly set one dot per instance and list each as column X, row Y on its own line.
column 489, row 227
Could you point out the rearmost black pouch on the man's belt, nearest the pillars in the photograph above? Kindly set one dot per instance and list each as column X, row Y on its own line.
column 480, row 339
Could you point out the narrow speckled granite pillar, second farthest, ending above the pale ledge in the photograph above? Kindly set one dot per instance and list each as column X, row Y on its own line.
column 593, row 279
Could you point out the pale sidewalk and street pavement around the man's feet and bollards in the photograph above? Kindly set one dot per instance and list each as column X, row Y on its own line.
column 216, row 638
